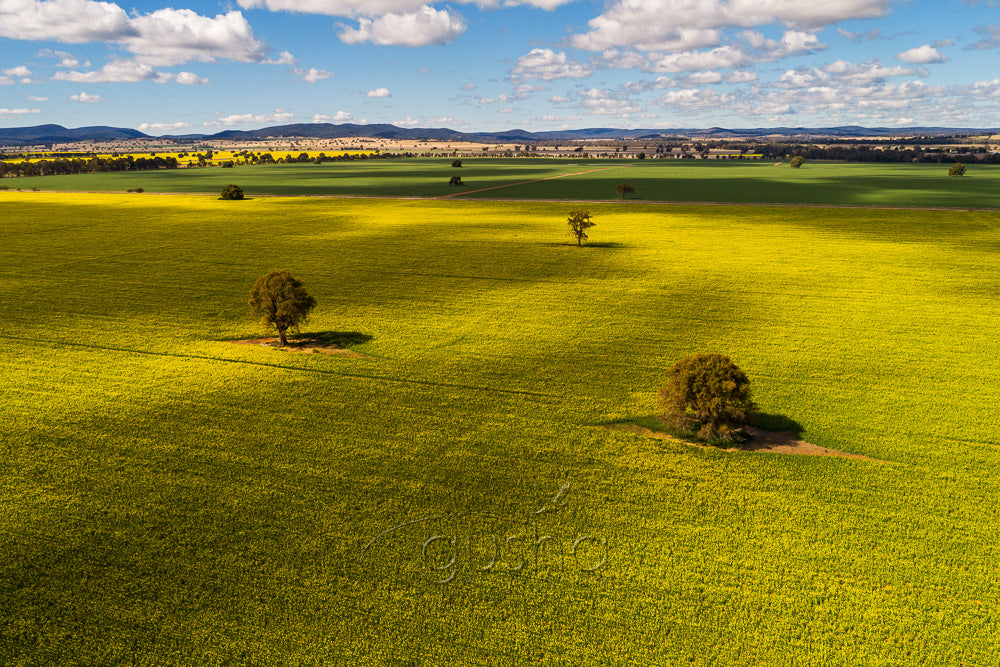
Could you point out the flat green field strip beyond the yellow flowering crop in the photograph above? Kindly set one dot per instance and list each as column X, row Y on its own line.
column 654, row 180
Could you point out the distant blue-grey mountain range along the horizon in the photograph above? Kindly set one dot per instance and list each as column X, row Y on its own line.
column 57, row 134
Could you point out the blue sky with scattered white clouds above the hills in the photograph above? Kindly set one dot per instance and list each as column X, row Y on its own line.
column 185, row 66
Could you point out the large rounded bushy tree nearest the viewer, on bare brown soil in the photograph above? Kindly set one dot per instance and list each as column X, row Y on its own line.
column 709, row 395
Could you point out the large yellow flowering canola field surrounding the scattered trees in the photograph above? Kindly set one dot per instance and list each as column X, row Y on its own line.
column 454, row 496
